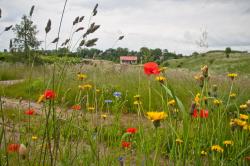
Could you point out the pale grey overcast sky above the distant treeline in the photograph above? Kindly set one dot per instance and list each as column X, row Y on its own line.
column 175, row 25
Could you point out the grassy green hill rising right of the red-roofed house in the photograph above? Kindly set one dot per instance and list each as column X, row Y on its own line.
column 238, row 62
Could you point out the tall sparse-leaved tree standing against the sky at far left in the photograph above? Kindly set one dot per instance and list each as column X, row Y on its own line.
column 26, row 33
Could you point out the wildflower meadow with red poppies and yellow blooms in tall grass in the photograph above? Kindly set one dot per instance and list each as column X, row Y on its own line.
column 90, row 124
